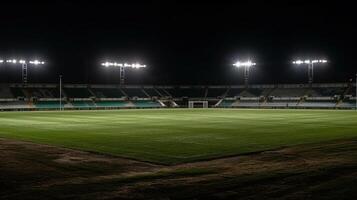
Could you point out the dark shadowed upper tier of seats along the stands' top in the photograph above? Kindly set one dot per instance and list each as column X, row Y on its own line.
column 178, row 92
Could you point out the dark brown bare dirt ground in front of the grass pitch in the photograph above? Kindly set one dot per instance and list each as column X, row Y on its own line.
column 32, row 171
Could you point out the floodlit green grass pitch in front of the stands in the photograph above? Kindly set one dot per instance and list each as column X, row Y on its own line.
column 172, row 136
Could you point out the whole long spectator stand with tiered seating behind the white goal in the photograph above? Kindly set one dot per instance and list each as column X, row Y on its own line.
column 45, row 96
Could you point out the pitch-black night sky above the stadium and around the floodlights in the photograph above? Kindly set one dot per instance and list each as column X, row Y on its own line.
column 181, row 43
